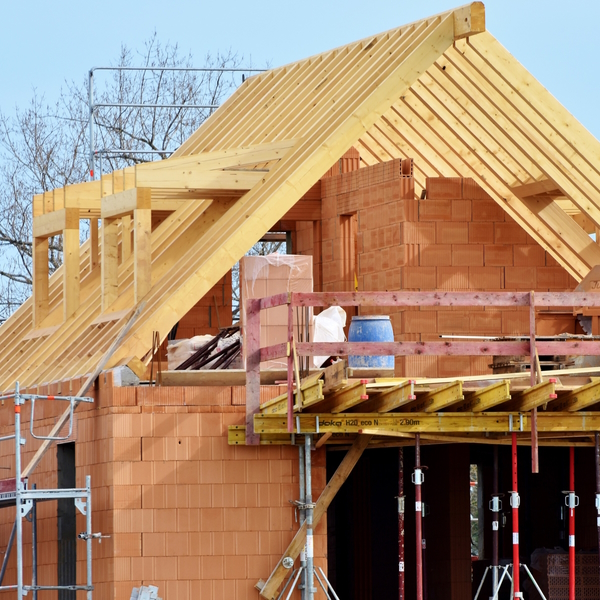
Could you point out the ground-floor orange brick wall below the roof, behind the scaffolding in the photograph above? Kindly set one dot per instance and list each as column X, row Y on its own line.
column 185, row 511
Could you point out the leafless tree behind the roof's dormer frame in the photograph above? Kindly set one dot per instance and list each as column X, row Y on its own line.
column 45, row 145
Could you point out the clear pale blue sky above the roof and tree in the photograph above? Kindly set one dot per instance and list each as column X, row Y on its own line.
column 43, row 43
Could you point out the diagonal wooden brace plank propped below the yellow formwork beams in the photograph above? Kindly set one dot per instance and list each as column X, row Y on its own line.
column 342, row 473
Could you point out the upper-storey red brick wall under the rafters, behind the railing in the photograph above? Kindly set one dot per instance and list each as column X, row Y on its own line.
column 457, row 238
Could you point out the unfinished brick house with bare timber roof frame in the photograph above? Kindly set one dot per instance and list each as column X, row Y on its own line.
column 423, row 178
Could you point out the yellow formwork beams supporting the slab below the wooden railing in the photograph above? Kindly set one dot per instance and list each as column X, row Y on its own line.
column 470, row 409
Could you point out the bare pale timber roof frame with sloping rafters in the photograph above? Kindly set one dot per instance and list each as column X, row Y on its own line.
column 459, row 107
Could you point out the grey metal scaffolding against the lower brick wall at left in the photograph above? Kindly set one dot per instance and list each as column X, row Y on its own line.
column 17, row 493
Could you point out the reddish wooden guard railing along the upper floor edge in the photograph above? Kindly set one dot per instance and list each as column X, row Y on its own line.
column 255, row 354
